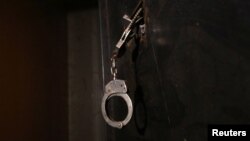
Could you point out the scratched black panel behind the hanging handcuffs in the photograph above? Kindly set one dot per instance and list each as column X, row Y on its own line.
column 192, row 69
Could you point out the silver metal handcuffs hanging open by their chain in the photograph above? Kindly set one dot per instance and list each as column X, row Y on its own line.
column 117, row 87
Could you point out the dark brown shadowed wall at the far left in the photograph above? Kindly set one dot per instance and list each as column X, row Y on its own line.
column 33, row 74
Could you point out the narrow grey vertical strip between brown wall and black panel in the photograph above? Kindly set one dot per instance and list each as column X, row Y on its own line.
column 85, row 81
